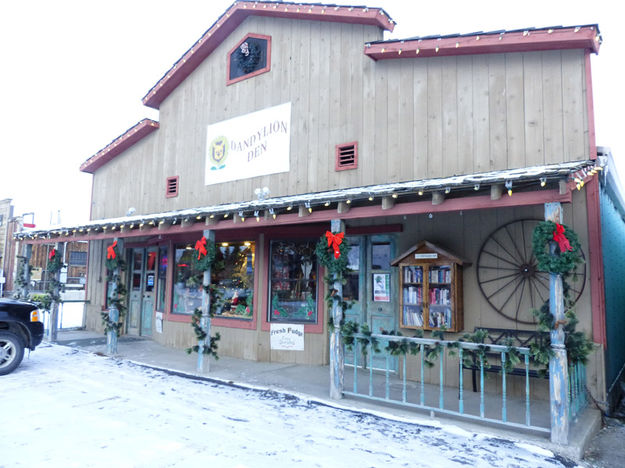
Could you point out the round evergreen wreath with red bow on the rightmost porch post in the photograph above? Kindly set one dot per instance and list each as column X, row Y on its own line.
column 567, row 255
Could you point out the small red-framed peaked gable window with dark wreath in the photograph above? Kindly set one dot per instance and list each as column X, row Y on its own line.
column 250, row 57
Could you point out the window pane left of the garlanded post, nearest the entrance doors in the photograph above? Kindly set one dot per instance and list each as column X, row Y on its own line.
column 187, row 282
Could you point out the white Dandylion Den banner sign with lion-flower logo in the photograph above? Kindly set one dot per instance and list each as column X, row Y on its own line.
column 250, row 145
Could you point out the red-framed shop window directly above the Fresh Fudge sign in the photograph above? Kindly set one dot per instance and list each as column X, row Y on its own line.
column 293, row 282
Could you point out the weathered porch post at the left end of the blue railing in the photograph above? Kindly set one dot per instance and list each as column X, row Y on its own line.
column 337, row 351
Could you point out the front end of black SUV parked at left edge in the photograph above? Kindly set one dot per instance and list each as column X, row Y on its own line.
column 19, row 328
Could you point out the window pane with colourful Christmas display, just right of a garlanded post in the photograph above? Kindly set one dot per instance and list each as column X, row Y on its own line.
column 232, row 280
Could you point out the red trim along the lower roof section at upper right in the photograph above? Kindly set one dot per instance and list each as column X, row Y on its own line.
column 578, row 37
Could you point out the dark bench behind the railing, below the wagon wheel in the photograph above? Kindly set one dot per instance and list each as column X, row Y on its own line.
column 504, row 336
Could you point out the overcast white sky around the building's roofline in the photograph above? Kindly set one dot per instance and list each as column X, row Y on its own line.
column 74, row 72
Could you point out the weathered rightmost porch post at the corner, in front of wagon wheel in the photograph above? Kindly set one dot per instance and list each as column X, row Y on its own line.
column 558, row 368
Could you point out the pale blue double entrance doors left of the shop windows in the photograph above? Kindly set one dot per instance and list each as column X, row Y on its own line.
column 143, row 263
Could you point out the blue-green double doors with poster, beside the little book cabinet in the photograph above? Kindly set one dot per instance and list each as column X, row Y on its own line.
column 372, row 287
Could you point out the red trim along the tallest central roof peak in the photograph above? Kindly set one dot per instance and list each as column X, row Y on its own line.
column 236, row 14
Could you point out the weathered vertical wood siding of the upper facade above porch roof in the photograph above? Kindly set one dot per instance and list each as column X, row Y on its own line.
column 412, row 118
